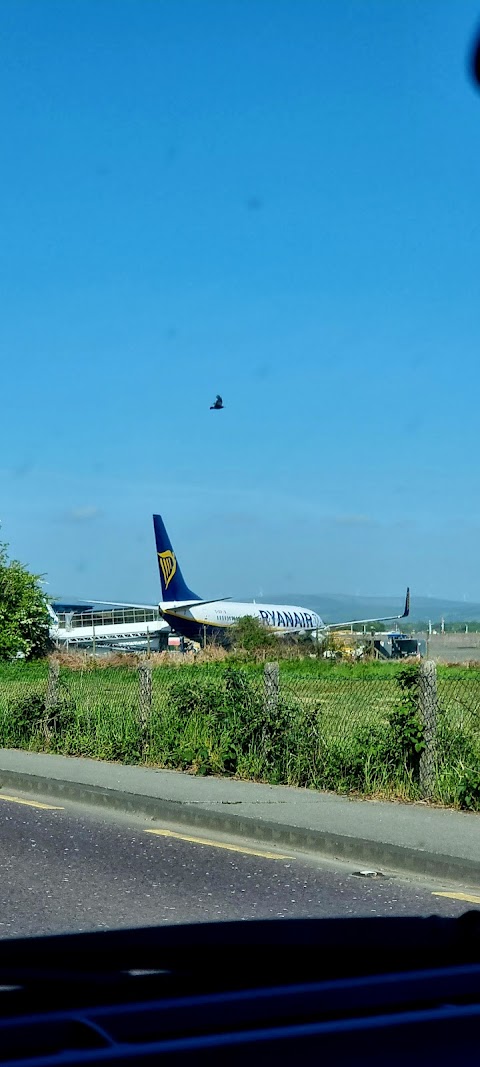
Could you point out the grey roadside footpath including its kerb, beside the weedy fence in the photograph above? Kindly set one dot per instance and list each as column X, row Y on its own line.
column 419, row 838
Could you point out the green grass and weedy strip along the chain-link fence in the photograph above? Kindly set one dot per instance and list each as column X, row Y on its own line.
column 410, row 731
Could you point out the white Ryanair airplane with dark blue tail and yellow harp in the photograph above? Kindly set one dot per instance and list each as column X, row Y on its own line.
column 198, row 619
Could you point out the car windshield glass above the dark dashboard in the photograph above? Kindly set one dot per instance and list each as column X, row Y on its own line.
column 241, row 296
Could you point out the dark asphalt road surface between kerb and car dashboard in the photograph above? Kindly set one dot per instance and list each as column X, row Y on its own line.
column 75, row 869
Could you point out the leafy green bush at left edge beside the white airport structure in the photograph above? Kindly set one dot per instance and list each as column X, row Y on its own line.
column 24, row 614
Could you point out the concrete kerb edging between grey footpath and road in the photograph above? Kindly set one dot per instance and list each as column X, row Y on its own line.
column 377, row 854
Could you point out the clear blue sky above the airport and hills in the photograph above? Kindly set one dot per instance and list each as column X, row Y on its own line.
column 276, row 200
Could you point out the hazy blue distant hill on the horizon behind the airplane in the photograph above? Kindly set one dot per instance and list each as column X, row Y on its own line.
column 339, row 608
